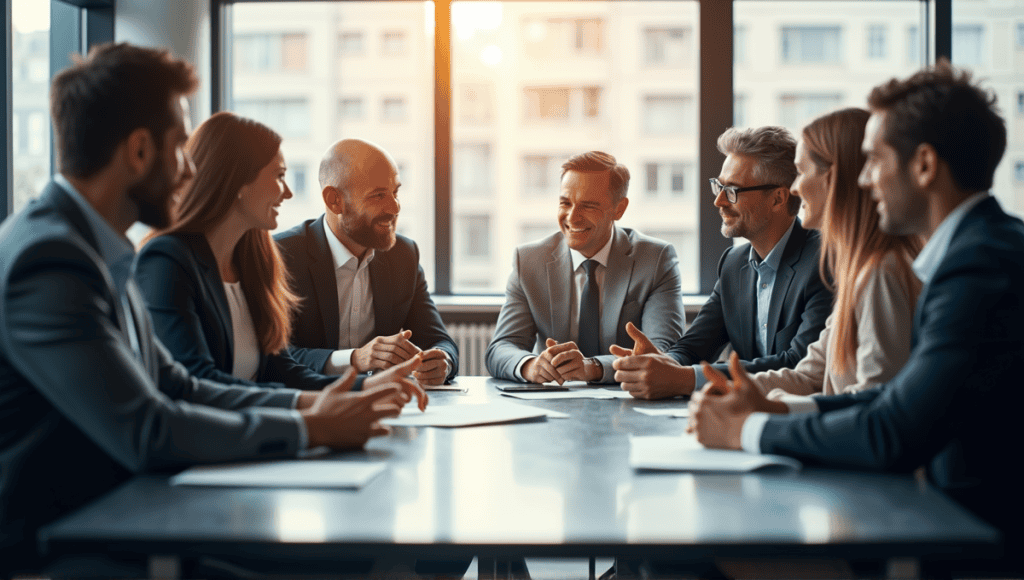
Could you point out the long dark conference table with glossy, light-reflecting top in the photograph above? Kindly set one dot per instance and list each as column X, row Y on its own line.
column 546, row 488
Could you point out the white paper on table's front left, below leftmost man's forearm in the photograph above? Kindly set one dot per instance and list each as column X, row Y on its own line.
column 319, row 474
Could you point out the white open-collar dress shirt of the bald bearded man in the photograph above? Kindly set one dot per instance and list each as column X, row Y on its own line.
column 356, row 304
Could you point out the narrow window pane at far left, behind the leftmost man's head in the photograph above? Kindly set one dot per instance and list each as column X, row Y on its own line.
column 30, row 81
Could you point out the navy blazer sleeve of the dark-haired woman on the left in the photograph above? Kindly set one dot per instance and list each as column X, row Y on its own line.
column 172, row 292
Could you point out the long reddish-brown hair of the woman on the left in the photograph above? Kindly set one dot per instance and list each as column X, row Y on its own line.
column 230, row 152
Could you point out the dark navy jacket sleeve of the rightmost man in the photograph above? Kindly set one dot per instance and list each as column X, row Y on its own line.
column 966, row 349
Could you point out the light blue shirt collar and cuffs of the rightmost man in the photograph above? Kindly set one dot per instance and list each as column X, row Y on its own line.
column 924, row 267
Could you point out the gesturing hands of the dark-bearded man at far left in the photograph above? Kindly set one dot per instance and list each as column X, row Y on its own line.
column 338, row 419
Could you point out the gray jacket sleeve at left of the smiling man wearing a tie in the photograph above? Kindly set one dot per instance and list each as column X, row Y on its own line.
column 516, row 333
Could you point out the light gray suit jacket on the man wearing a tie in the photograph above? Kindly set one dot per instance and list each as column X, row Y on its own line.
column 642, row 285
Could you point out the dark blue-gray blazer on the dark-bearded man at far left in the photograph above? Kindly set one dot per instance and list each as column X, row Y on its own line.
column 81, row 411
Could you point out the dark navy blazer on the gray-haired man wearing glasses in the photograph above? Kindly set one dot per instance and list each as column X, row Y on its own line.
column 800, row 305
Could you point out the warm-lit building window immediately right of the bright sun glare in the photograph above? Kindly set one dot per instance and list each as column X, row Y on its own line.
column 545, row 37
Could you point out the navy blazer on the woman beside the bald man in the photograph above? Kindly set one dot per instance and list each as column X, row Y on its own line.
column 183, row 287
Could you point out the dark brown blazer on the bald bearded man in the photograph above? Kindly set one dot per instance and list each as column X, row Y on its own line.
column 397, row 281
